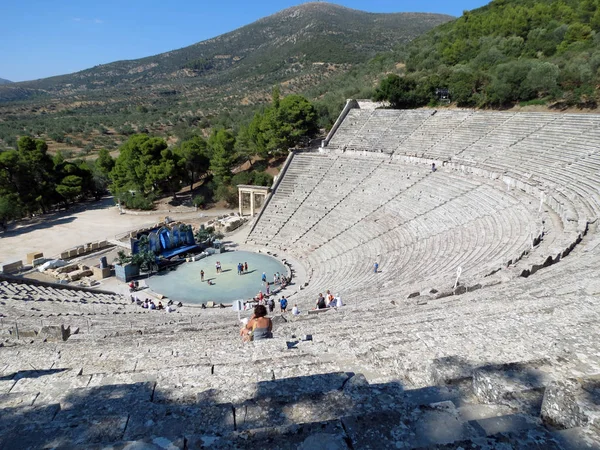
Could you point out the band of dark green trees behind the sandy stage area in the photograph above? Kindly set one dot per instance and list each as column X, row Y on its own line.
column 148, row 168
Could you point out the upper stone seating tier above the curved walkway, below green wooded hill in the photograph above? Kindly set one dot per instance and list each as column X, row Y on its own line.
column 531, row 152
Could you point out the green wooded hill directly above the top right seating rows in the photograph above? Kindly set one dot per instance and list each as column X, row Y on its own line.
column 510, row 51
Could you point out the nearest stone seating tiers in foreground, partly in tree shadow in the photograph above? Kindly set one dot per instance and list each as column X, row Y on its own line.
column 458, row 372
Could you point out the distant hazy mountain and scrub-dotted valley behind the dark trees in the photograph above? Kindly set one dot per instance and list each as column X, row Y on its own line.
column 218, row 82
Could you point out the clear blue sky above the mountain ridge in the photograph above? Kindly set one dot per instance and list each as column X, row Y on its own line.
column 41, row 38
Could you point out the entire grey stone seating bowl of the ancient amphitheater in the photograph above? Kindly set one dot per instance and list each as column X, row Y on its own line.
column 508, row 358
